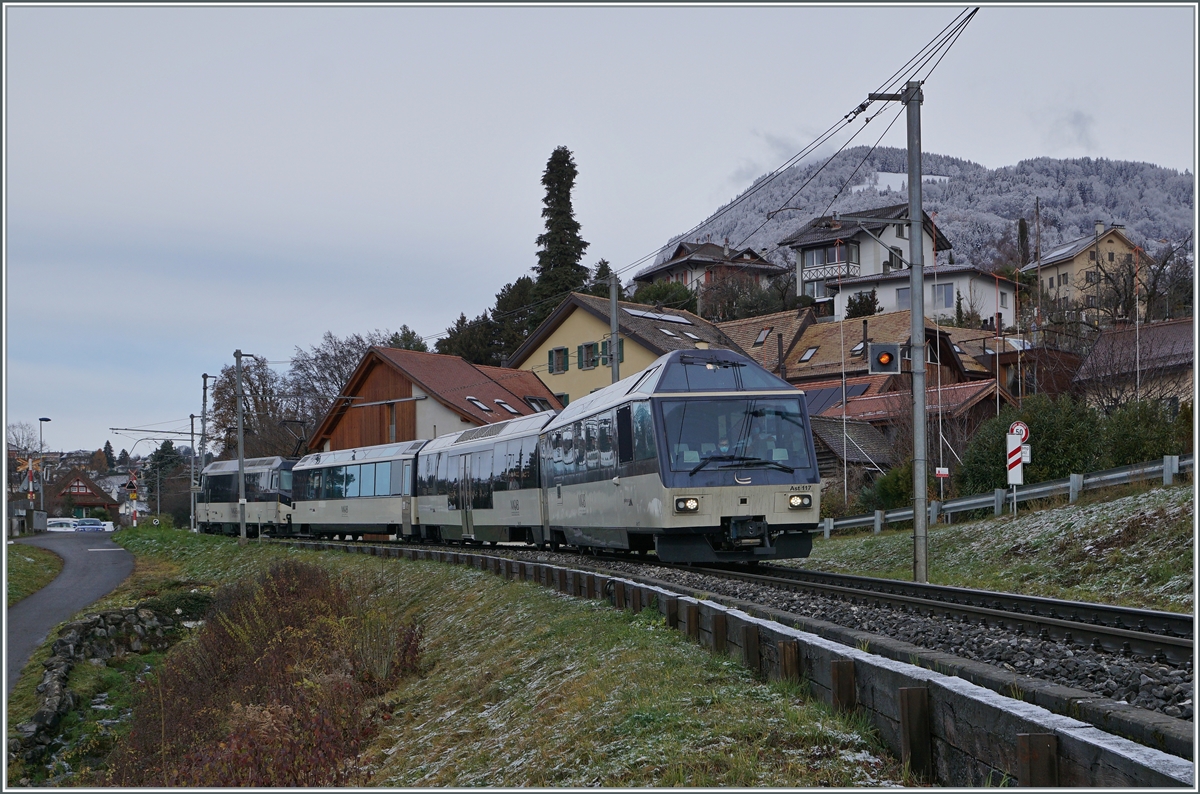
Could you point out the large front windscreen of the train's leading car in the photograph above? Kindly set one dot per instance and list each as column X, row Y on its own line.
column 736, row 434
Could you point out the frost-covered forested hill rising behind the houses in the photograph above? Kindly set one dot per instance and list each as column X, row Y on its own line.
column 975, row 206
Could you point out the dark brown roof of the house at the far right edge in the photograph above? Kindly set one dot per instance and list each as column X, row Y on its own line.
column 1155, row 346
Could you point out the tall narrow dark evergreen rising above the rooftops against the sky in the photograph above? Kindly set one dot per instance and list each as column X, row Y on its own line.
column 561, row 248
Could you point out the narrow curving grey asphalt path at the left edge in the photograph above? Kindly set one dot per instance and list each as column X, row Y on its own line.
column 93, row 567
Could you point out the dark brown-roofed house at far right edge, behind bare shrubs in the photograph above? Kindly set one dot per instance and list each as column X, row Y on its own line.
column 1148, row 362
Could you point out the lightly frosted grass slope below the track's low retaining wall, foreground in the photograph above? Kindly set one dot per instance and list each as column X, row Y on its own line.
column 523, row 687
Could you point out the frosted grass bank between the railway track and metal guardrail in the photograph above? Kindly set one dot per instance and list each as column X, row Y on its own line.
column 1132, row 546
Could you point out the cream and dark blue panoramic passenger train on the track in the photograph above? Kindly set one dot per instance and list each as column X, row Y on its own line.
column 703, row 458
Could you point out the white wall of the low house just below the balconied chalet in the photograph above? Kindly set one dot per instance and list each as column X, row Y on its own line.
column 979, row 293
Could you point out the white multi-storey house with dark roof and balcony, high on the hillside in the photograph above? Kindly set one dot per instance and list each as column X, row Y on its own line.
column 835, row 249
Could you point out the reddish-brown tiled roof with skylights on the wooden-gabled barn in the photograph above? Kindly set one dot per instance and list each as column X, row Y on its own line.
column 451, row 381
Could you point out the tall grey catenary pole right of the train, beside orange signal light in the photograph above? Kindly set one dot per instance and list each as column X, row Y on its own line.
column 913, row 98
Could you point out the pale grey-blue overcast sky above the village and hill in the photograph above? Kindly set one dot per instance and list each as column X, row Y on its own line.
column 183, row 182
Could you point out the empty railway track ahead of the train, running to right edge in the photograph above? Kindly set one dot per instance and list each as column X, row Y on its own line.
column 1145, row 634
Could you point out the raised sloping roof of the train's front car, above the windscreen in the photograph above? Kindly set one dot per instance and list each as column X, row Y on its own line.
column 709, row 371
